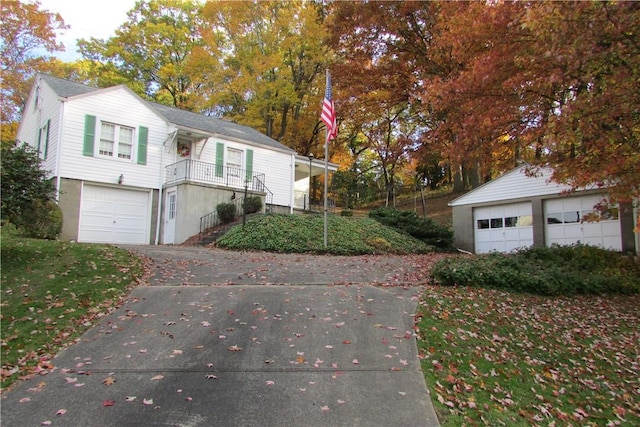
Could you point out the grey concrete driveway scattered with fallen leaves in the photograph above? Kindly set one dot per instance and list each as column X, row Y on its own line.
column 200, row 352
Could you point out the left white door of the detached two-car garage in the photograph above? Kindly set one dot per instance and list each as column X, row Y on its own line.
column 503, row 228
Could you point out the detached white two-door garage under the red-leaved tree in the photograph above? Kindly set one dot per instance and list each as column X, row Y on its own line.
column 517, row 211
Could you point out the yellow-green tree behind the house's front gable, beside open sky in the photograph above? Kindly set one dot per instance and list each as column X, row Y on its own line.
column 151, row 53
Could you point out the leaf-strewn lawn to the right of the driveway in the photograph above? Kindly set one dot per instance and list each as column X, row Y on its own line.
column 496, row 358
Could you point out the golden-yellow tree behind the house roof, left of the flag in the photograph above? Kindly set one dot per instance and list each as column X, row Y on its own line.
column 271, row 62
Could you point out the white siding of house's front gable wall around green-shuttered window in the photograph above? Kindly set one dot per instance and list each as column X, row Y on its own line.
column 119, row 106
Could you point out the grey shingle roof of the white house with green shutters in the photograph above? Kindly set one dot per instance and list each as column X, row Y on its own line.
column 212, row 125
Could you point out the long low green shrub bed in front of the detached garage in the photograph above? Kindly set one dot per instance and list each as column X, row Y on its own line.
column 559, row 270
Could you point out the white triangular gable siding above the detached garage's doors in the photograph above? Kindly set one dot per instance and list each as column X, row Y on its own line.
column 512, row 185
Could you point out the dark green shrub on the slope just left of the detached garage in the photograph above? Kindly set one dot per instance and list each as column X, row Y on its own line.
column 424, row 229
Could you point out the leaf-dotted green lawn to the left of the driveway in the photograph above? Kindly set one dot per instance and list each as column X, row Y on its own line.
column 51, row 293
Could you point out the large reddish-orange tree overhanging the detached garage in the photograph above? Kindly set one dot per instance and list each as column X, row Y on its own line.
column 551, row 83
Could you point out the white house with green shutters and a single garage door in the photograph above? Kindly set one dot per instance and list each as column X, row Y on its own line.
column 135, row 172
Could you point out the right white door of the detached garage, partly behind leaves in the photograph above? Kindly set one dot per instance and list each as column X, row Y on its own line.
column 565, row 223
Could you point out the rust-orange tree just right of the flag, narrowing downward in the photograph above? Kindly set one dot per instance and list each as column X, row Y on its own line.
column 382, row 51
